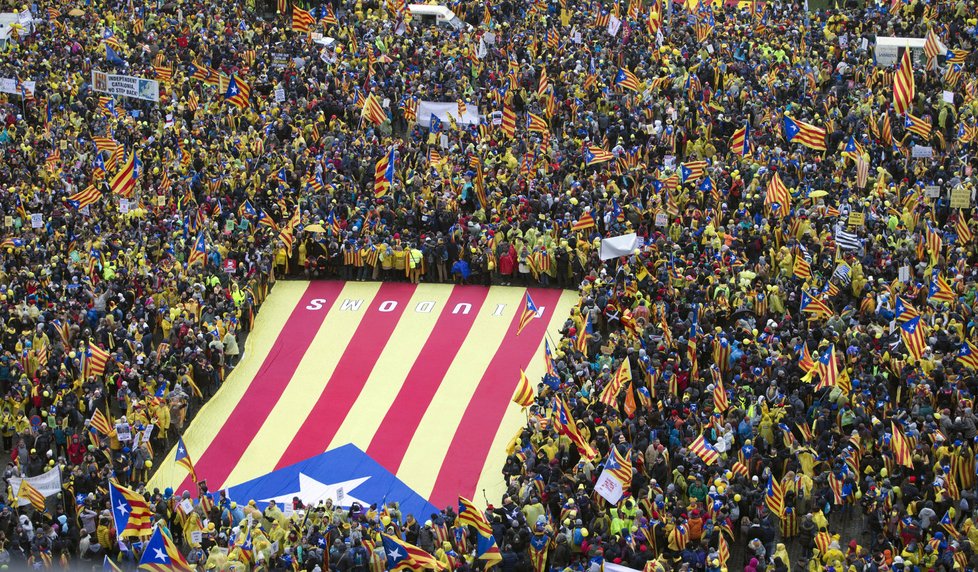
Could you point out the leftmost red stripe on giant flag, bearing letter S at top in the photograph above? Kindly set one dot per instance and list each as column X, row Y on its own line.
column 269, row 383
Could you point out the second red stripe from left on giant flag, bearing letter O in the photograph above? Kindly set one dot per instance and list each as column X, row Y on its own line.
column 350, row 375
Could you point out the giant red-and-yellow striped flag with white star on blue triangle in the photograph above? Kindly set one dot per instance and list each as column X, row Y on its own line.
column 366, row 391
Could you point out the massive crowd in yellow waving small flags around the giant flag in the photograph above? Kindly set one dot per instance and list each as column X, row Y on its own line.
column 798, row 321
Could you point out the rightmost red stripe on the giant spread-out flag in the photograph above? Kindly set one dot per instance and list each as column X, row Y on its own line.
column 459, row 474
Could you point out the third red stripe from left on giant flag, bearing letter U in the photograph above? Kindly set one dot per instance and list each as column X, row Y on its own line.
column 424, row 379
